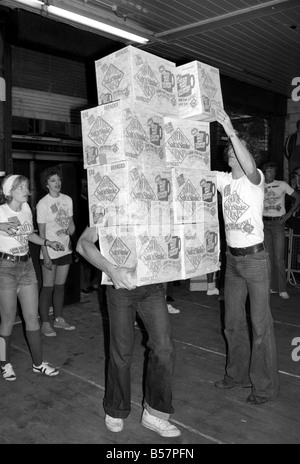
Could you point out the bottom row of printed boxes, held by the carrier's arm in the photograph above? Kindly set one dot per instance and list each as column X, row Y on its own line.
column 161, row 253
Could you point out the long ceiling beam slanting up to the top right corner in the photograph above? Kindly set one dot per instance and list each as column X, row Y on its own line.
column 245, row 14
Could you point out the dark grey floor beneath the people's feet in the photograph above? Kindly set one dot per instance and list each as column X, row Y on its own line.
column 68, row 409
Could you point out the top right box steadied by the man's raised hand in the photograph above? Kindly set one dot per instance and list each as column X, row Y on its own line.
column 199, row 91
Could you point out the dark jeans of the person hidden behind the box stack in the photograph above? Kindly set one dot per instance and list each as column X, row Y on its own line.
column 150, row 303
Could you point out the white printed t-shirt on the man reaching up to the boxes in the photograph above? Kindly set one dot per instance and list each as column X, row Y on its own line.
column 242, row 204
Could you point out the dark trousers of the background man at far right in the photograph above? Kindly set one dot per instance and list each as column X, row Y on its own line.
column 275, row 244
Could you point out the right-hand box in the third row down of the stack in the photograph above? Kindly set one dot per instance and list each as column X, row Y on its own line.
column 194, row 196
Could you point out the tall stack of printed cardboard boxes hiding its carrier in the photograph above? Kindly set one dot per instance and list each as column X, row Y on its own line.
column 146, row 147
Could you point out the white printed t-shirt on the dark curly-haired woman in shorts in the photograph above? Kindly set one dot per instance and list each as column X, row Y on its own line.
column 56, row 214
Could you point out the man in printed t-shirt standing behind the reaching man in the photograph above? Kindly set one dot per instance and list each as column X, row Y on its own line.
column 275, row 217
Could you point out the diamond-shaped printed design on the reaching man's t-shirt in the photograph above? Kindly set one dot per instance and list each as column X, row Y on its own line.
column 234, row 209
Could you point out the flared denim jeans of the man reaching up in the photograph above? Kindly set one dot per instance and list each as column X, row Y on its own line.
column 255, row 362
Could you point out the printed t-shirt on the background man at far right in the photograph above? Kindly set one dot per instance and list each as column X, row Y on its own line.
column 274, row 204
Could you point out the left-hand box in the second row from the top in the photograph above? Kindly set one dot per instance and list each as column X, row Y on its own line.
column 116, row 131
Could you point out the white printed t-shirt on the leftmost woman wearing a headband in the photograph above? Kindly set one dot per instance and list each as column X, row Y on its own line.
column 16, row 244
